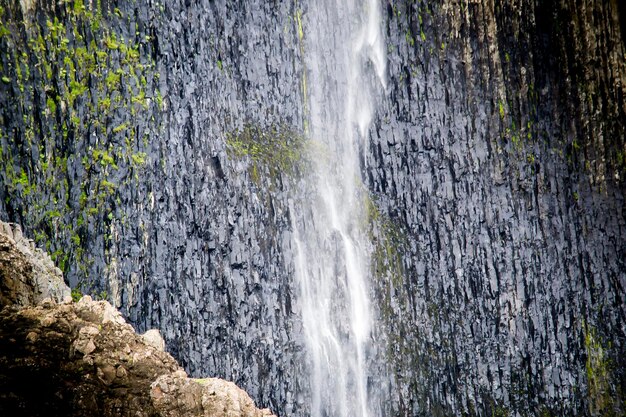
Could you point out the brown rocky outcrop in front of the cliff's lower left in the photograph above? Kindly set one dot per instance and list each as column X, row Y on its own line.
column 82, row 358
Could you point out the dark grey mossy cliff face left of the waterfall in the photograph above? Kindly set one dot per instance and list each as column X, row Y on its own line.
column 114, row 150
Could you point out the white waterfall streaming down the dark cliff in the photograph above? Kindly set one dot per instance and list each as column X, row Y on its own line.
column 345, row 63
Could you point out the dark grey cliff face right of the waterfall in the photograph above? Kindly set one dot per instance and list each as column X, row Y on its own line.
column 500, row 159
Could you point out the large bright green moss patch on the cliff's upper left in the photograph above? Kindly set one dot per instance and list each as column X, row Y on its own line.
column 78, row 59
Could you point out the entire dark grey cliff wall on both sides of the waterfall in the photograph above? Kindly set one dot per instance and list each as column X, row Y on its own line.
column 153, row 147
